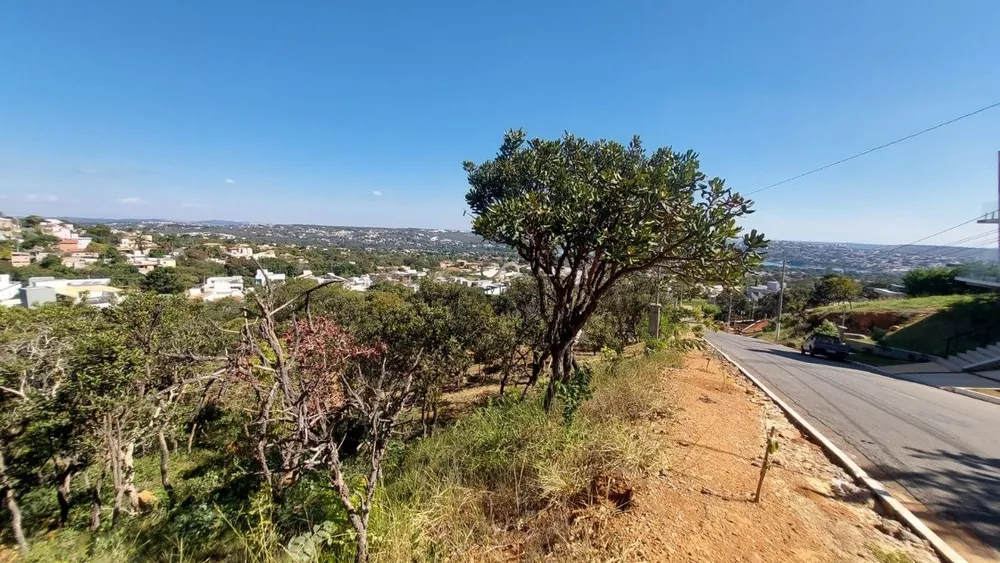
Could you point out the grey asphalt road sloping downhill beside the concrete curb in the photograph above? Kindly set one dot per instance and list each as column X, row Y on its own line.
column 944, row 448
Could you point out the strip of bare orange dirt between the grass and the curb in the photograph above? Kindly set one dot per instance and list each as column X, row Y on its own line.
column 699, row 507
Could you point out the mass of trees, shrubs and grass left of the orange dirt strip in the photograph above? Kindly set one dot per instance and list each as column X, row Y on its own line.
column 309, row 422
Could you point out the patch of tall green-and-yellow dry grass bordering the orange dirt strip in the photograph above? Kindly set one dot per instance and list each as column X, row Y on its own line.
column 511, row 481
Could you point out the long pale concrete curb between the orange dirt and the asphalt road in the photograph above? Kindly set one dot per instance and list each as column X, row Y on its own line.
column 884, row 497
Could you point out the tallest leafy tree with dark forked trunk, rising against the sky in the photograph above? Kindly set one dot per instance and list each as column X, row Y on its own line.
column 584, row 215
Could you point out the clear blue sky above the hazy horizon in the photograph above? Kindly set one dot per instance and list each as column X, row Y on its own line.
column 324, row 113
